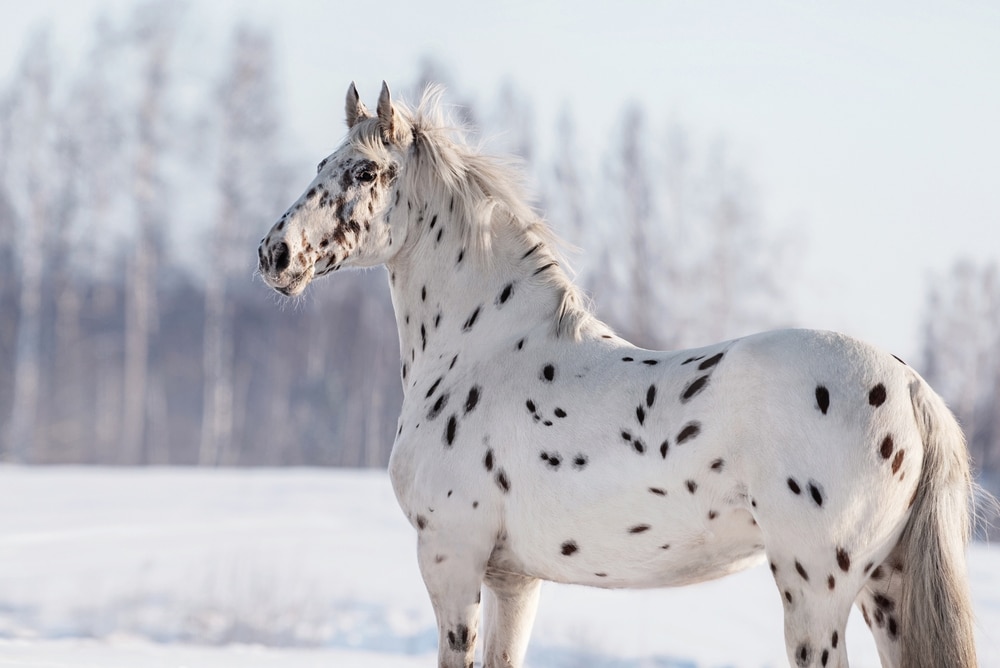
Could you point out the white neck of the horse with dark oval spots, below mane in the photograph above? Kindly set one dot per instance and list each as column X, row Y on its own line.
column 454, row 299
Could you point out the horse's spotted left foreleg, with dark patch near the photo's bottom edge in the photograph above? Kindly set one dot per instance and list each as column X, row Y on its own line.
column 453, row 574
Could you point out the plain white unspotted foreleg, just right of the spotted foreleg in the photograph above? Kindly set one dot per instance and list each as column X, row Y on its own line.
column 510, row 602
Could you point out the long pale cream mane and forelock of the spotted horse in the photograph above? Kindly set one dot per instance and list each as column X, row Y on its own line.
column 488, row 197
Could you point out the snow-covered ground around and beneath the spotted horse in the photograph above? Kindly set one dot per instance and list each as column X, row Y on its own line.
column 165, row 568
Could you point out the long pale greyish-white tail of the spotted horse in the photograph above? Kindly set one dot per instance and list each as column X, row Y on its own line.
column 937, row 621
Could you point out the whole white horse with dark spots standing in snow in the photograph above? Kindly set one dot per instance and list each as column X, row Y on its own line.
column 535, row 444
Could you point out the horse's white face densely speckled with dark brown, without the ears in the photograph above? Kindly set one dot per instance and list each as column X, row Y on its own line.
column 341, row 220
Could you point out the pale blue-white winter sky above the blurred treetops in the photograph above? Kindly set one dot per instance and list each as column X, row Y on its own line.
column 870, row 128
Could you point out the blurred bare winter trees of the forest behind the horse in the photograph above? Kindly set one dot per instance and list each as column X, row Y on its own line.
column 136, row 183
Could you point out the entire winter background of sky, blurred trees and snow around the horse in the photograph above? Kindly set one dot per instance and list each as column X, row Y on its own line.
column 722, row 169
